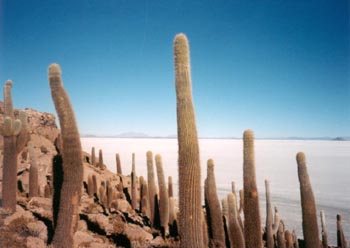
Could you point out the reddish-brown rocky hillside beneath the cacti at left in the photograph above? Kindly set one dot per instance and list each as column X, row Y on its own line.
column 99, row 226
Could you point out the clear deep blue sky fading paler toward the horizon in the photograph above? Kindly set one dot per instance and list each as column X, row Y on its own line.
column 281, row 68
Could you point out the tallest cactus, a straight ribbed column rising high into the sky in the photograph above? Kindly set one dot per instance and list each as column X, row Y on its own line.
column 190, row 219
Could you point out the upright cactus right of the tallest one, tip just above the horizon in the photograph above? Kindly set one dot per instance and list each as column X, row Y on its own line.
column 252, row 226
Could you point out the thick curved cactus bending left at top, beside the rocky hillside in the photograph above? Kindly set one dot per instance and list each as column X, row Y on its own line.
column 68, row 216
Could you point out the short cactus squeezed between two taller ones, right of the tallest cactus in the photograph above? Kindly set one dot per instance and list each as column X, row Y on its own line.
column 235, row 231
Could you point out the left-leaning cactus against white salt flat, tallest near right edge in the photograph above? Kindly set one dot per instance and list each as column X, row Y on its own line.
column 308, row 205
